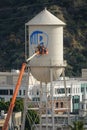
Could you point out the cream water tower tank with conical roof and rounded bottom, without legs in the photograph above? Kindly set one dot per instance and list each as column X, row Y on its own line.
column 46, row 29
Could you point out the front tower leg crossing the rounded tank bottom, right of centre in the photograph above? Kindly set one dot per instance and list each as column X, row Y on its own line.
column 52, row 99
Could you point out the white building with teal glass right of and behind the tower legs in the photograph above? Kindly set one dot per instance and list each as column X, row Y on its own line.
column 76, row 94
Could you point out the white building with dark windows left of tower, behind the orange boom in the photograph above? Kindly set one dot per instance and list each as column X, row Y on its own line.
column 8, row 81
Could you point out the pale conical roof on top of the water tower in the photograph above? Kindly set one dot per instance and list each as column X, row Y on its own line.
column 45, row 18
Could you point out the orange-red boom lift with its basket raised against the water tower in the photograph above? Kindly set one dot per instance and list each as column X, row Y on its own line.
column 40, row 50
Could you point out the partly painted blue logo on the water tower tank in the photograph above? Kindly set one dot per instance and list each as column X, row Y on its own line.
column 38, row 38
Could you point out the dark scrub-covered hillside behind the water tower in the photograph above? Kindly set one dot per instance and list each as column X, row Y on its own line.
column 13, row 16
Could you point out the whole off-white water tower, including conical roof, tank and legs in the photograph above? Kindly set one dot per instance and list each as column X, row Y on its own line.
column 44, row 29
